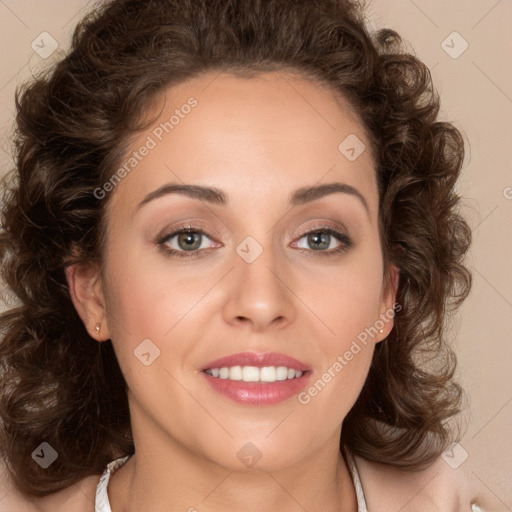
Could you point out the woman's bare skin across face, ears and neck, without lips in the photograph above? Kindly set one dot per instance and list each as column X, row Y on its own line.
column 258, row 140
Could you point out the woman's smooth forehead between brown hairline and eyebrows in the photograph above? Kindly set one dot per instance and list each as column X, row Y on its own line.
column 276, row 131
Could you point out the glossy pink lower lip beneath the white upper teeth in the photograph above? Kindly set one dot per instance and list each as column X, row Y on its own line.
column 258, row 393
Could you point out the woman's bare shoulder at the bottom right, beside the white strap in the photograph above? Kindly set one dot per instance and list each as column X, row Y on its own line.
column 438, row 487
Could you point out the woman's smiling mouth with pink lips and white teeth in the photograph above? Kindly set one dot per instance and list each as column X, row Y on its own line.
column 257, row 379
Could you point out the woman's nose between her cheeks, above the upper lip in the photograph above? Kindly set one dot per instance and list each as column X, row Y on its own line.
column 258, row 295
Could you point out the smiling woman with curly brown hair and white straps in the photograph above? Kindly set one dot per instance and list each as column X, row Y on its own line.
column 234, row 240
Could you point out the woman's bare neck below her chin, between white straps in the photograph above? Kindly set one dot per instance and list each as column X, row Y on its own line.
column 165, row 475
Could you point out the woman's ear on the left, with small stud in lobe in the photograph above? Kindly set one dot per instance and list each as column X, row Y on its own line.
column 85, row 288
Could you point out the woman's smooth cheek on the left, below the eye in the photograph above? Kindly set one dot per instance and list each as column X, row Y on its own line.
column 169, row 307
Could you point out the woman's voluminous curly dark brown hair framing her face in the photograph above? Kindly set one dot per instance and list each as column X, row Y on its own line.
column 73, row 125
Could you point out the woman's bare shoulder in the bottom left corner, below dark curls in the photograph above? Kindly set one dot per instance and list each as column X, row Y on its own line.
column 77, row 498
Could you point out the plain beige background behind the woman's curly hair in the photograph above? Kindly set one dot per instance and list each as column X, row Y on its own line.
column 476, row 94
